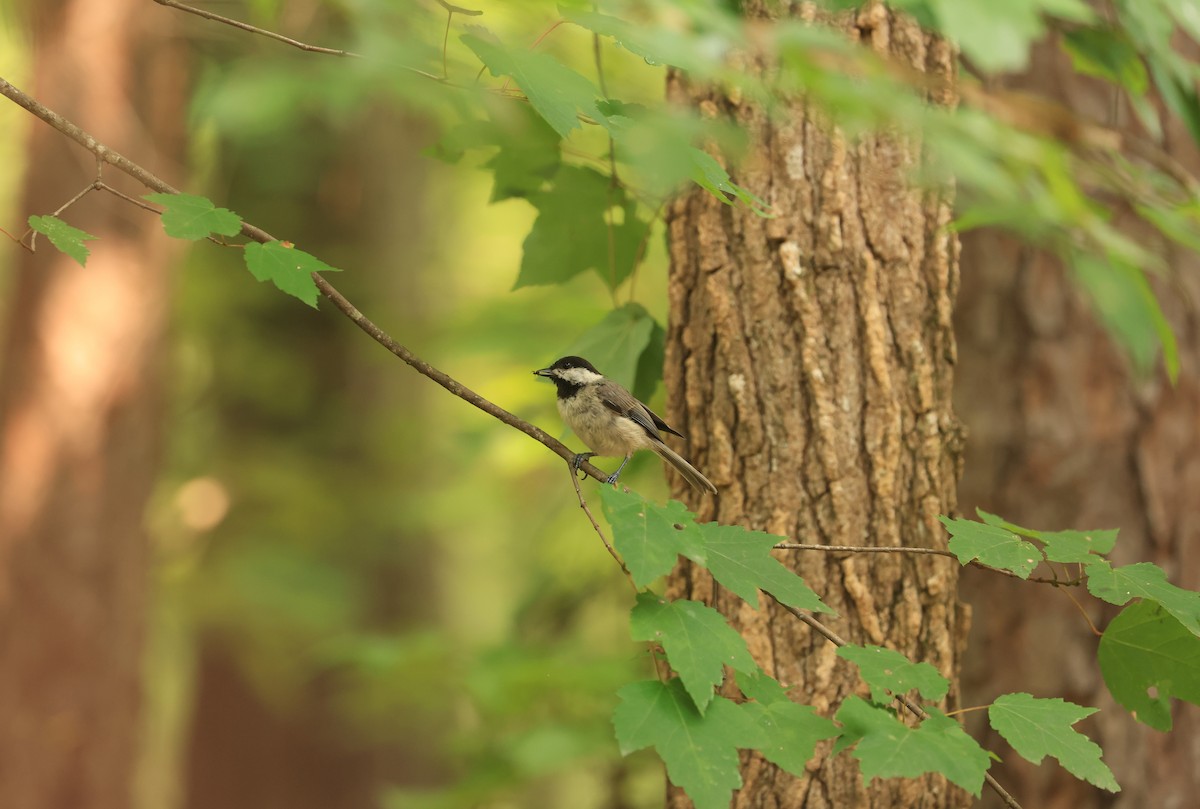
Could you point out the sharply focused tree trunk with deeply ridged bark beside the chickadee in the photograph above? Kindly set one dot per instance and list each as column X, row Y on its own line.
column 811, row 359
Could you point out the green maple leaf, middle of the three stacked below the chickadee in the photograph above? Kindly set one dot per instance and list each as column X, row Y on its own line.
column 698, row 640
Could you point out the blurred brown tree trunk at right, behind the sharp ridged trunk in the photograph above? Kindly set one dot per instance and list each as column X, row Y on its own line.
column 1063, row 436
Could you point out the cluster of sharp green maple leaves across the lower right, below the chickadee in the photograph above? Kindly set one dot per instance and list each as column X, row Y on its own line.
column 698, row 732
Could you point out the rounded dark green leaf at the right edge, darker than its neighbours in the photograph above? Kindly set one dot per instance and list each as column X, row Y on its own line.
column 1148, row 657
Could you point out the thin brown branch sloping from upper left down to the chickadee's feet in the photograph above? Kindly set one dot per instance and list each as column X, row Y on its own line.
column 153, row 182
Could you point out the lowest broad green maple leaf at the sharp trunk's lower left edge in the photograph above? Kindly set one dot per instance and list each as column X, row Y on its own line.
column 700, row 751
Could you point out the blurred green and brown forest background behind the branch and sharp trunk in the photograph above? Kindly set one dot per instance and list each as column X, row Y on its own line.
column 347, row 590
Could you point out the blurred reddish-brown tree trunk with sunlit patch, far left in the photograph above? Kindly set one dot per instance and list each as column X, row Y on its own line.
column 80, row 424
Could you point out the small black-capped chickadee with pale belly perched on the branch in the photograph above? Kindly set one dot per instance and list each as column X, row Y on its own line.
column 610, row 421
